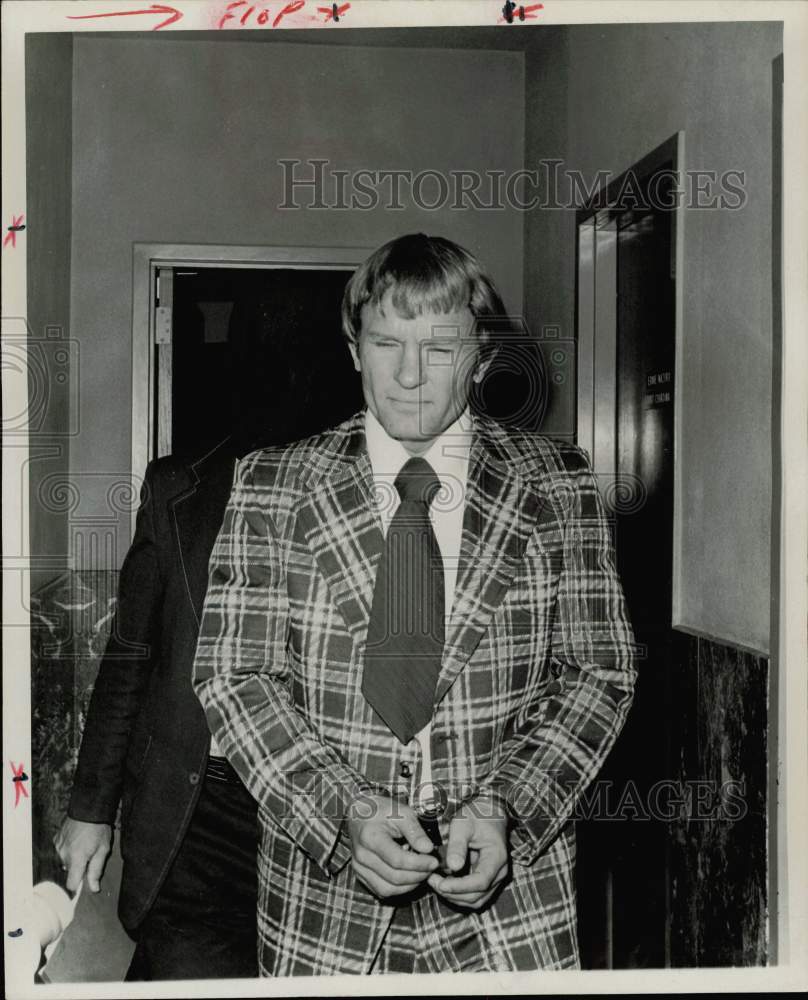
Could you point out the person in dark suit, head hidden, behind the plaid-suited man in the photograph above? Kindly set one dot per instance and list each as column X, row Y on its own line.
column 188, row 825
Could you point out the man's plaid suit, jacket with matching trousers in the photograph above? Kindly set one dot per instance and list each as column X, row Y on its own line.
column 536, row 679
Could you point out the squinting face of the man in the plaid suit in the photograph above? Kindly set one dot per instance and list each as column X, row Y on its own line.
column 415, row 372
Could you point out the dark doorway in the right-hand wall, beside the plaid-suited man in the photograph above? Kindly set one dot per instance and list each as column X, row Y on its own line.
column 628, row 245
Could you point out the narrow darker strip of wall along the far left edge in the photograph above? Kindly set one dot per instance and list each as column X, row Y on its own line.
column 52, row 360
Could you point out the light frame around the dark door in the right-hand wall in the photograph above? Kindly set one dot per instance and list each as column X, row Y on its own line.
column 596, row 332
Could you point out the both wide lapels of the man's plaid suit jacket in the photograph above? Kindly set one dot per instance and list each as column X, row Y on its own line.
column 505, row 499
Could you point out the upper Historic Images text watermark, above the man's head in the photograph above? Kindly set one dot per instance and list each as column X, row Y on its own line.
column 317, row 185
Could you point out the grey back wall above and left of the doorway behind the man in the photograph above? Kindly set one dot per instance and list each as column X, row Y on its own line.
column 178, row 141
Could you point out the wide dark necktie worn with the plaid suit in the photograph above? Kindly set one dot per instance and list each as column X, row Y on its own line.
column 406, row 630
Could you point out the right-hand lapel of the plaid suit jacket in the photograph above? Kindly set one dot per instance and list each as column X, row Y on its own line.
column 504, row 503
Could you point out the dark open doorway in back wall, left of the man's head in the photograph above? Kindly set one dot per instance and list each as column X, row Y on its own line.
column 256, row 355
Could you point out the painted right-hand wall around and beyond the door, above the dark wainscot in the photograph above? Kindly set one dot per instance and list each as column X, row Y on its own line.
column 618, row 92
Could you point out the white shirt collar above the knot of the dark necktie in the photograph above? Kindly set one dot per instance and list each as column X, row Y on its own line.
column 448, row 454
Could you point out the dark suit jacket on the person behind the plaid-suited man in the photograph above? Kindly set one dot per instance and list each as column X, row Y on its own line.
column 146, row 741
